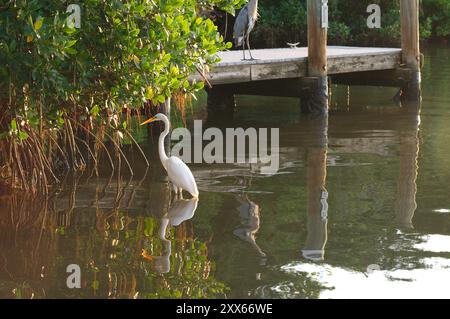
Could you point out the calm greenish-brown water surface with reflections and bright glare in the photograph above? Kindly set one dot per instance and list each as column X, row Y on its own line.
column 383, row 231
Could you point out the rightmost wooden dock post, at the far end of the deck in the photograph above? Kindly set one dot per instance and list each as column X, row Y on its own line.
column 409, row 12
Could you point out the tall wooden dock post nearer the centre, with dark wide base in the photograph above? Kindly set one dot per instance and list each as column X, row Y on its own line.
column 315, row 86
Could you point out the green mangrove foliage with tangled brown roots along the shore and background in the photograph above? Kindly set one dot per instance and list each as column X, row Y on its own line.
column 67, row 94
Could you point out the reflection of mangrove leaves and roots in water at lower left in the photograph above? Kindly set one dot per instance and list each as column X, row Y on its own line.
column 122, row 254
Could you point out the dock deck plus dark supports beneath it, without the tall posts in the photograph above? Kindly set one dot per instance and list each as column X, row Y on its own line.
column 284, row 72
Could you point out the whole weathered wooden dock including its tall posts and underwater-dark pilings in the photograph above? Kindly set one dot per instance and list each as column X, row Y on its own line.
column 306, row 72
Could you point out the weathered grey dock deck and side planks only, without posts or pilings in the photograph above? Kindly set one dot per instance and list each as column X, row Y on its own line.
column 275, row 64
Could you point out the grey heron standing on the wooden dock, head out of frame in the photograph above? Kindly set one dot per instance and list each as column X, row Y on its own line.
column 244, row 24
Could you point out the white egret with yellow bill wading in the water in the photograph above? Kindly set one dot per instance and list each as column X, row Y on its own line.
column 179, row 174
